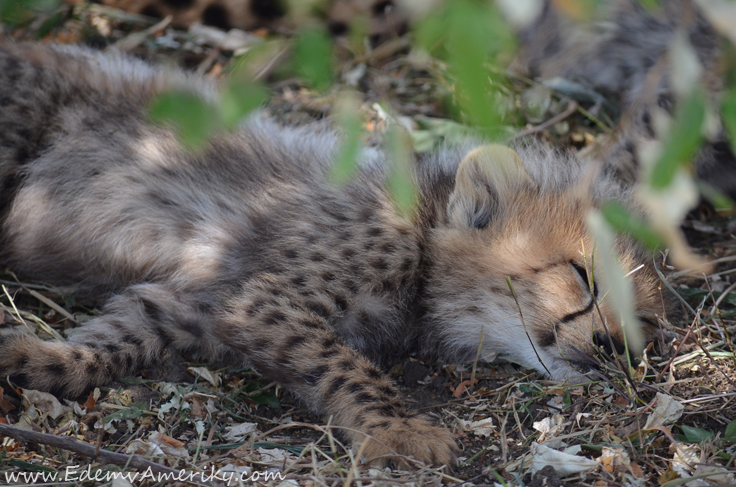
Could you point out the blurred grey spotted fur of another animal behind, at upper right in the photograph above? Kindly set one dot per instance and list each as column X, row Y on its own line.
column 623, row 53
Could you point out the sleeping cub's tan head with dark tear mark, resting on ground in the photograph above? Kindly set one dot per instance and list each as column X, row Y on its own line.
column 525, row 221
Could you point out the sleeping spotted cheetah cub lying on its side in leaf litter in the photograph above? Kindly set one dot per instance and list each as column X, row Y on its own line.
column 246, row 252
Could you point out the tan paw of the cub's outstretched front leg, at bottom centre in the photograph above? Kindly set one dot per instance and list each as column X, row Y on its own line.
column 396, row 441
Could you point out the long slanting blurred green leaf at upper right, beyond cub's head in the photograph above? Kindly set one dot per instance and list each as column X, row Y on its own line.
column 682, row 142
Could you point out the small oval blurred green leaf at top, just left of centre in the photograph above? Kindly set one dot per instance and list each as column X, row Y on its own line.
column 313, row 57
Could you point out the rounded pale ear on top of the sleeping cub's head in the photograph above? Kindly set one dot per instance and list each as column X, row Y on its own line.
column 484, row 179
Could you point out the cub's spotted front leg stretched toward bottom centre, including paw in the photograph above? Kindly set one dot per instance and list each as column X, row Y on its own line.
column 287, row 342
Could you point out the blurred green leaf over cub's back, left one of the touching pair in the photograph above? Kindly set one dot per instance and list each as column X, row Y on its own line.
column 194, row 119
